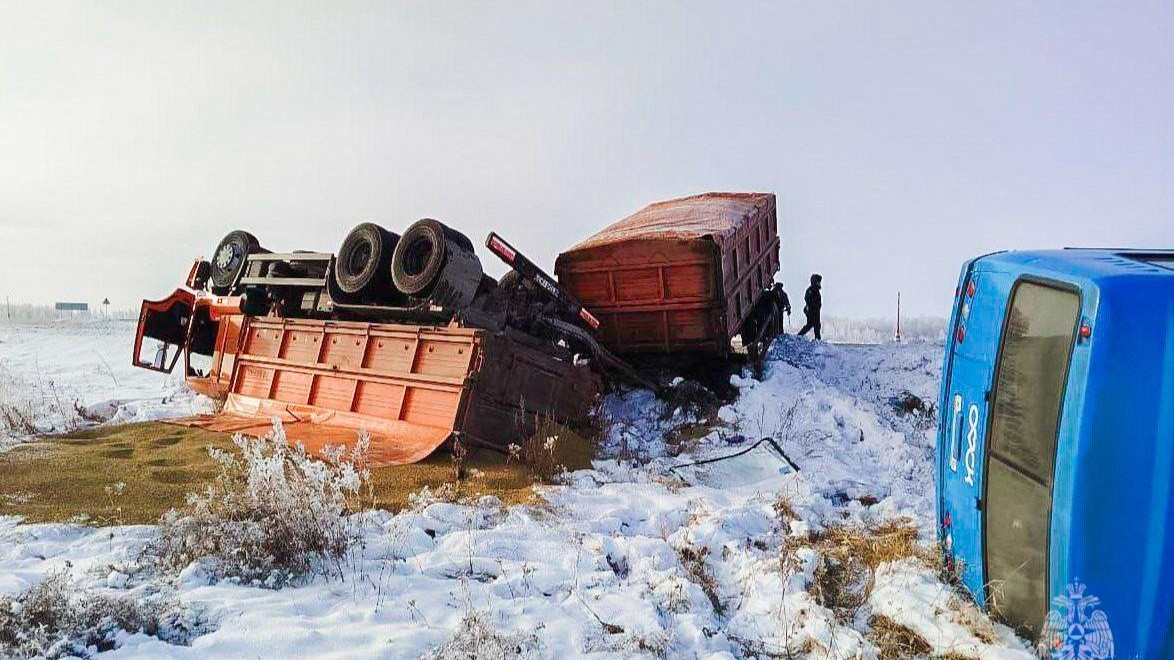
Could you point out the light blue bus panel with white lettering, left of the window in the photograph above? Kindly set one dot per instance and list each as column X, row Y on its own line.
column 963, row 420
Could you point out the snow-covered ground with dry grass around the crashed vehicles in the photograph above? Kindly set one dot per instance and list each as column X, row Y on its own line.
column 640, row 557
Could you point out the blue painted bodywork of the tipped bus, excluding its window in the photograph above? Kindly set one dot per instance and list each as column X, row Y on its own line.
column 1112, row 521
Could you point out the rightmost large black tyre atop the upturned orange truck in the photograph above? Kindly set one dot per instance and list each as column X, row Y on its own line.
column 436, row 262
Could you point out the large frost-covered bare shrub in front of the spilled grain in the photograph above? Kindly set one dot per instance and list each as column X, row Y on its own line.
column 274, row 514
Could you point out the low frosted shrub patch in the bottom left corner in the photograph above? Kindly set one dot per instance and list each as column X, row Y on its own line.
column 58, row 618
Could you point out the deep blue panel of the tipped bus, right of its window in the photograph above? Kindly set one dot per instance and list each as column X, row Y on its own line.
column 1121, row 528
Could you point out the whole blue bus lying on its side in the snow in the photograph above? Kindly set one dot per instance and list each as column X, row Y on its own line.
column 1056, row 448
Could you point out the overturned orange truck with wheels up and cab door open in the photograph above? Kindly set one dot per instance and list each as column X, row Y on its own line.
column 403, row 338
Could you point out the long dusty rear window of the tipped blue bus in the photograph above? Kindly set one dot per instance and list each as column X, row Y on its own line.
column 1025, row 415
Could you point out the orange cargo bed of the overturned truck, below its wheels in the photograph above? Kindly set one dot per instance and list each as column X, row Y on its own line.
column 411, row 388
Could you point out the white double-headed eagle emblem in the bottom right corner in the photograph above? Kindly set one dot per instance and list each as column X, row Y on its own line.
column 1076, row 630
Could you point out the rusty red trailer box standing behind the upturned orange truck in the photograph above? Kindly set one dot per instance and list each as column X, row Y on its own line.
column 678, row 277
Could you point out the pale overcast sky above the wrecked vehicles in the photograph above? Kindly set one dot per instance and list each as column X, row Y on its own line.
column 901, row 138
